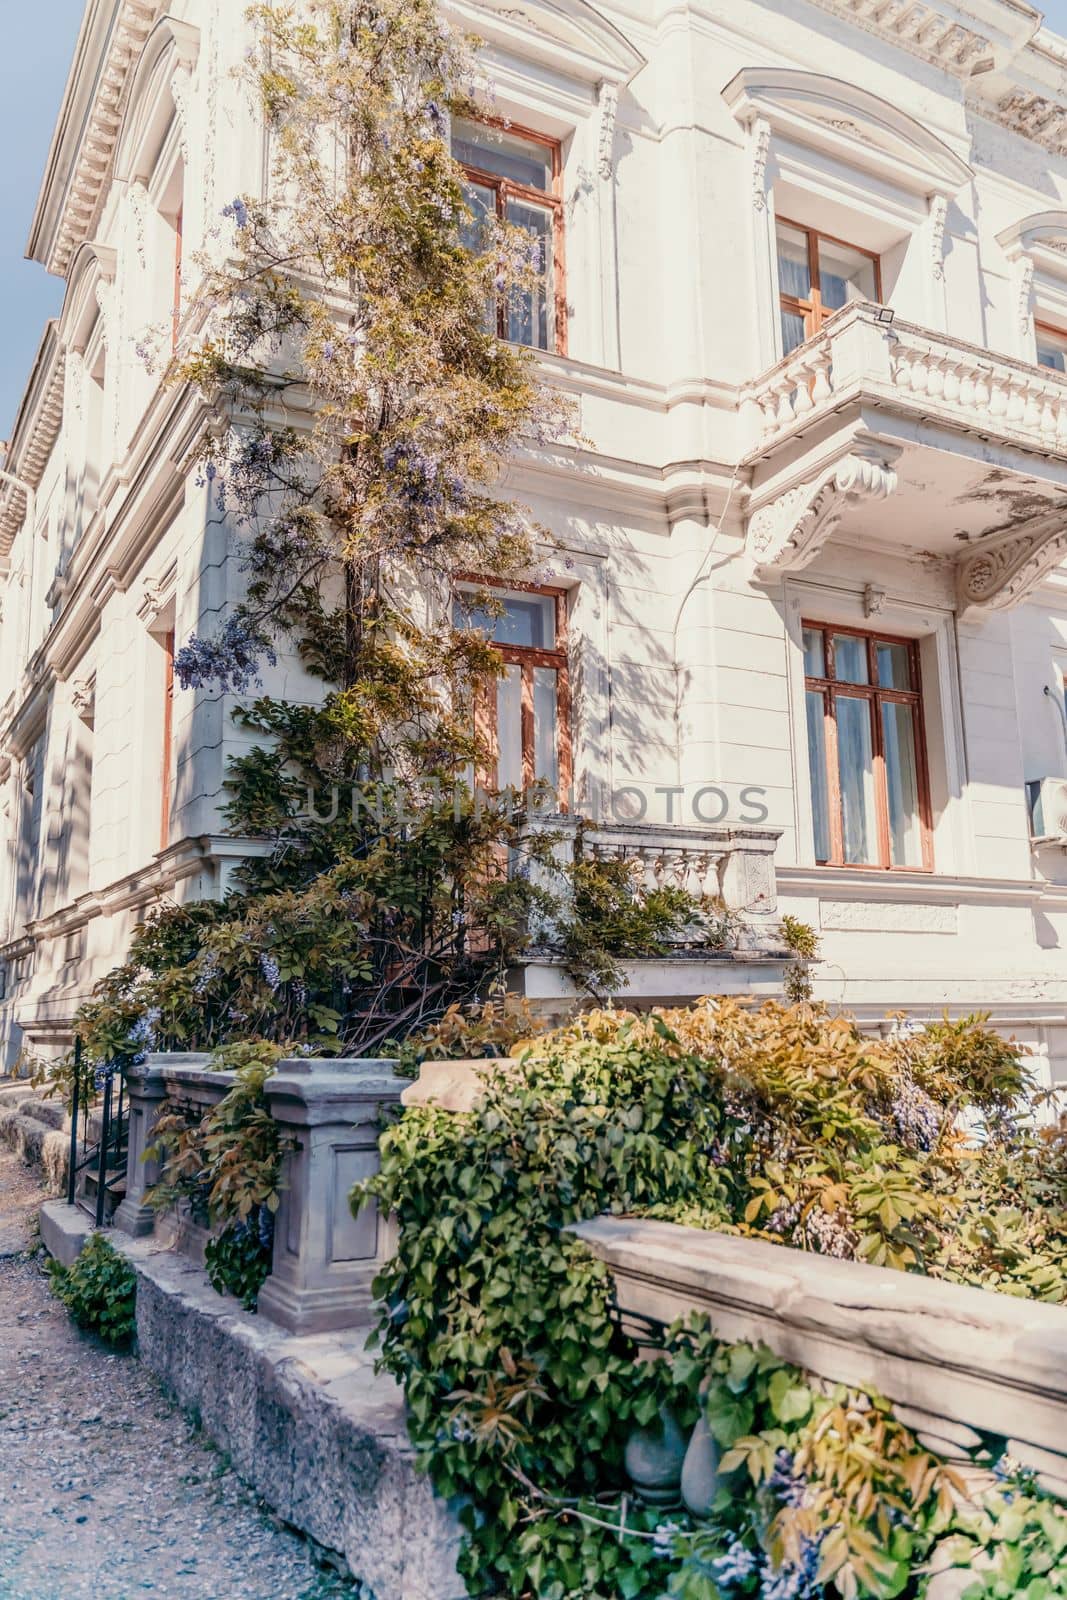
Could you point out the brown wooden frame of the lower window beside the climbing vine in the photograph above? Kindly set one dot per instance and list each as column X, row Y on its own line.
column 529, row 658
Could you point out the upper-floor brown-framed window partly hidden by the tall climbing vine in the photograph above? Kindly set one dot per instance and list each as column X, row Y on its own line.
column 518, row 175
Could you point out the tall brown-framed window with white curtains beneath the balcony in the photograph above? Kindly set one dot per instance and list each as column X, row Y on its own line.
column 868, row 751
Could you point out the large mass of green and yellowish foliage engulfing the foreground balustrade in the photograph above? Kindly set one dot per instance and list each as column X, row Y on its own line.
column 783, row 1124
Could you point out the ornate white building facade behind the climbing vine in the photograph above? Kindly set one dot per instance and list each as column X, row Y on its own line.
column 807, row 282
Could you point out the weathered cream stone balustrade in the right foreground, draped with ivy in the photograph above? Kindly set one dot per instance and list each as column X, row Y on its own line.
column 964, row 1367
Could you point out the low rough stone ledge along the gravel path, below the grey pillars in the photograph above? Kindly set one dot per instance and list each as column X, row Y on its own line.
column 306, row 1423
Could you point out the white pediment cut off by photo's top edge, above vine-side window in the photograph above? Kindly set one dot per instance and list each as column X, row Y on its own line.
column 569, row 36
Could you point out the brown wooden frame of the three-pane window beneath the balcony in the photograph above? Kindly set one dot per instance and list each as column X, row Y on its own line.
column 833, row 689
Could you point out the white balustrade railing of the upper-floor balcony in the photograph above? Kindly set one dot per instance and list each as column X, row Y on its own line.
column 953, row 382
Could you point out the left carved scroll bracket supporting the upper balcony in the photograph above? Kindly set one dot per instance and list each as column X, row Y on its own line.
column 793, row 530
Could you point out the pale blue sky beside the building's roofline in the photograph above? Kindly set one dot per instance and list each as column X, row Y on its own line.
column 38, row 49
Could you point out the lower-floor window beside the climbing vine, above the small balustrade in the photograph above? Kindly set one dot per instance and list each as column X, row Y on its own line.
column 526, row 714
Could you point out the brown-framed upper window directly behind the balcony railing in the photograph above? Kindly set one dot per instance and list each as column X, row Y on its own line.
column 818, row 276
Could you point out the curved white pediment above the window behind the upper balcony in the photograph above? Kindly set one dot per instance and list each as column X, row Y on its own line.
column 850, row 126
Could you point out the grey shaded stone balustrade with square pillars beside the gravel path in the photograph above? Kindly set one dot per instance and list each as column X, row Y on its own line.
column 329, row 1116
